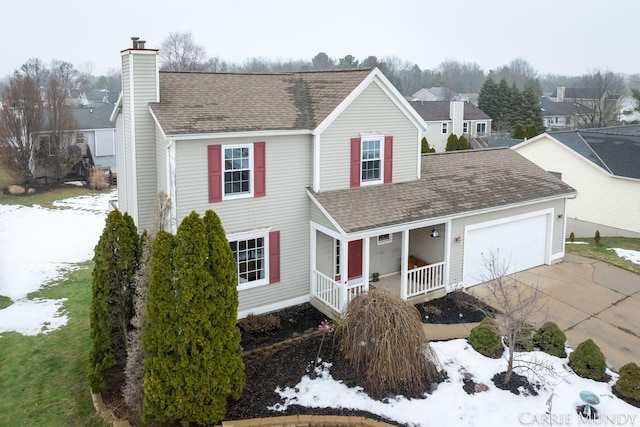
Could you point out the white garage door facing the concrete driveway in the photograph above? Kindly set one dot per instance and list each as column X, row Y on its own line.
column 519, row 244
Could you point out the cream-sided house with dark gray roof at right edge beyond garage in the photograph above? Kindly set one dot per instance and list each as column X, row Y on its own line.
column 603, row 165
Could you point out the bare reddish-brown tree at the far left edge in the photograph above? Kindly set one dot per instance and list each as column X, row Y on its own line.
column 21, row 116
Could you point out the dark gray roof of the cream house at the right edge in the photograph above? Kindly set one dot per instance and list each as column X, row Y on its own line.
column 615, row 149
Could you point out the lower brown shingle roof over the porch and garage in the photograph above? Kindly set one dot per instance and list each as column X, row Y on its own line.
column 452, row 183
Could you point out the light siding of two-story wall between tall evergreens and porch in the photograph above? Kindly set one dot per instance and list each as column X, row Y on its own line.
column 285, row 208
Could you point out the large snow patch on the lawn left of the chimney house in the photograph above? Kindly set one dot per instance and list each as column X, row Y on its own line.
column 37, row 246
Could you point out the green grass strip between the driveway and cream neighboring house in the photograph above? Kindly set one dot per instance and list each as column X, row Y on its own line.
column 603, row 251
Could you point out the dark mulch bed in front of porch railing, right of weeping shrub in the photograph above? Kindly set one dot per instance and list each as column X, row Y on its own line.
column 455, row 307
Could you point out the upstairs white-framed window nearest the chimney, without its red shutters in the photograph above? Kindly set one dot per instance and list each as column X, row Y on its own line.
column 237, row 170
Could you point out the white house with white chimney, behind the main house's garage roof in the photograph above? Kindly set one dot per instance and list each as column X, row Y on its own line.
column 461, row 118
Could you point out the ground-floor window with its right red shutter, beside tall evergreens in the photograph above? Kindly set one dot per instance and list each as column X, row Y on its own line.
column 257, row 256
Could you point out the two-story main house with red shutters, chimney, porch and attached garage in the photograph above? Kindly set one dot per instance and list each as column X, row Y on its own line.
column 319, row 183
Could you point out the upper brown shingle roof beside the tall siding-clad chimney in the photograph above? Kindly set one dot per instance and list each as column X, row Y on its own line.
column 230, row 102
